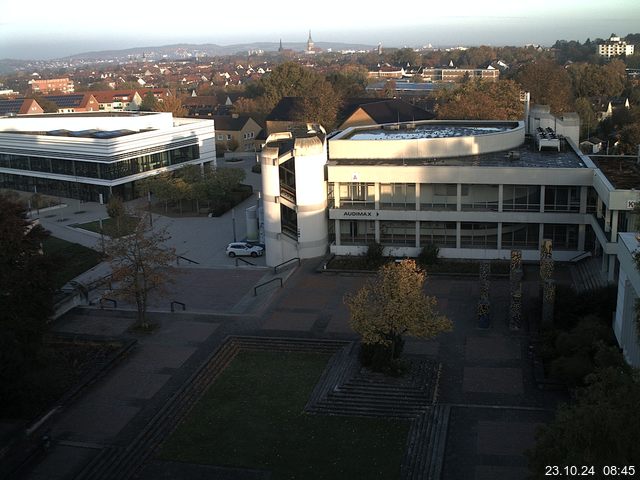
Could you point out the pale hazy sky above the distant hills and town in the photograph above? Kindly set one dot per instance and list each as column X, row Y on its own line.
column 57, row 29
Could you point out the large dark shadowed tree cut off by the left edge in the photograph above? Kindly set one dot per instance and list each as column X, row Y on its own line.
column 26, row 295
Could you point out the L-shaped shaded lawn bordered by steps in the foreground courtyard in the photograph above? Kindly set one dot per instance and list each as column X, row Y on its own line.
column 252, row 417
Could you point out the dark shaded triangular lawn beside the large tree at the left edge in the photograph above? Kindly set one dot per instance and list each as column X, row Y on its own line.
column 73, row 259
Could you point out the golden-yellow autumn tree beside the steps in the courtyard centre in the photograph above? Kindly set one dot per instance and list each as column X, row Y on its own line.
column 390, row 306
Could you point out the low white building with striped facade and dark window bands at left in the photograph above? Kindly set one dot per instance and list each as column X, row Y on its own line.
column 92, row 156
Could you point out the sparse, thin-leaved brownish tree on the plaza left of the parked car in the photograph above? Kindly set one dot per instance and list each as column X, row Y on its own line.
column 140, row 264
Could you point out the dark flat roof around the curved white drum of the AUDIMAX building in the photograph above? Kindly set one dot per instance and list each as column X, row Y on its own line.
column 526, row 155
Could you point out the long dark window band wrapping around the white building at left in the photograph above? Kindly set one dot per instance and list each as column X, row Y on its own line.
column 106, row 171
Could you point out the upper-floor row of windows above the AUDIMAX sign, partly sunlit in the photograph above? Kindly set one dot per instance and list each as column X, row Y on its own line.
column 402, row 196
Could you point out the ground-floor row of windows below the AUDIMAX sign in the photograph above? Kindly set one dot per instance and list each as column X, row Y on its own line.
column 472, row 234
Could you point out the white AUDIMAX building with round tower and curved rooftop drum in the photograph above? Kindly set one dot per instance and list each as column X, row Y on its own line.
column 477, row 190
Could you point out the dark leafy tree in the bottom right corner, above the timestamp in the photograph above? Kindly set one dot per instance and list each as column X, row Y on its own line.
column 600, row 429
